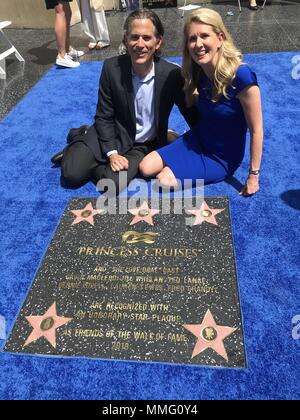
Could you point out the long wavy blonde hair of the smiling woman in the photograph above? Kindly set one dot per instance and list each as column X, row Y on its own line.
column 229, row 57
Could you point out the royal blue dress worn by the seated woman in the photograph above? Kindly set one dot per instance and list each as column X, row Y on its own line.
column 215, row 147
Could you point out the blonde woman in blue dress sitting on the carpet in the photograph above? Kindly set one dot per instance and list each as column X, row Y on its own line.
column 228, row 99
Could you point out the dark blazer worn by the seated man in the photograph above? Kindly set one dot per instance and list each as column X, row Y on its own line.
column 115, row 122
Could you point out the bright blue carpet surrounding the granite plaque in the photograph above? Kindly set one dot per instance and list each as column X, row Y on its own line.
column 266, row 235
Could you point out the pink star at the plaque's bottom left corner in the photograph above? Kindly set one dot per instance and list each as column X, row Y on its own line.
column 46, row 326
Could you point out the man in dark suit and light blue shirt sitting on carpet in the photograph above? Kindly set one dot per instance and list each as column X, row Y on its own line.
column 136, row 94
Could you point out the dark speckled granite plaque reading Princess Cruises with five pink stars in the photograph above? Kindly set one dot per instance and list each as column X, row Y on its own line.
column 139, row 286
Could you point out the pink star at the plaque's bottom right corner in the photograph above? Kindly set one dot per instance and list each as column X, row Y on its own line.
column 210, row 335
